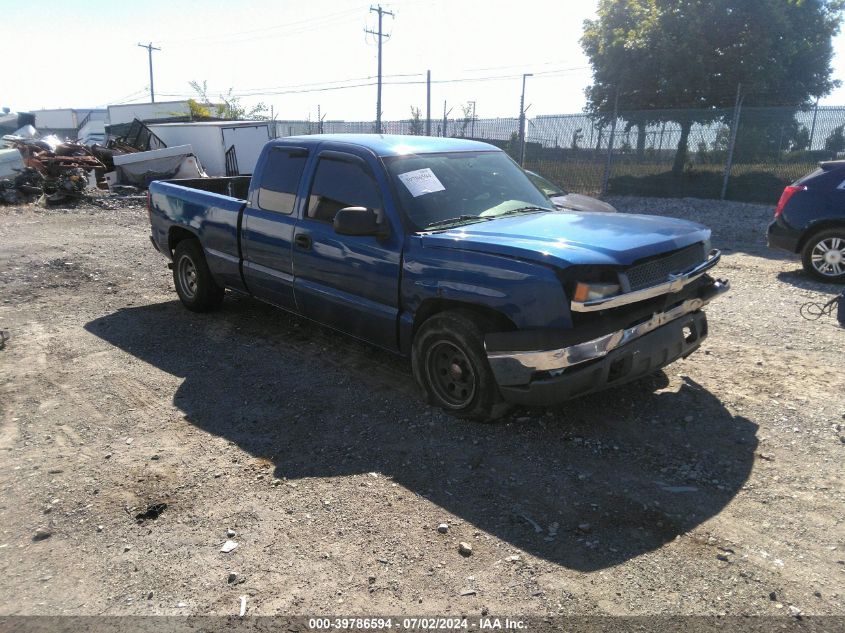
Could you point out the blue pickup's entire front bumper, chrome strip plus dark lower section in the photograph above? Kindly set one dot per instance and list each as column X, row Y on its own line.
column 554, row 375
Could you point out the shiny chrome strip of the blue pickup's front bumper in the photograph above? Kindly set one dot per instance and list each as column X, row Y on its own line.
column 516, row 368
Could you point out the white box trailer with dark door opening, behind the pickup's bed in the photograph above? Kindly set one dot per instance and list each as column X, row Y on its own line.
column 216, row 141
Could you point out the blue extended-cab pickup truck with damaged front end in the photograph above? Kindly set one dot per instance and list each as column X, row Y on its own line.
column 444, row 251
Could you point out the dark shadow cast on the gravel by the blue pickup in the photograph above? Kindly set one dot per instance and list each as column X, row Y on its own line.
column 589, row 485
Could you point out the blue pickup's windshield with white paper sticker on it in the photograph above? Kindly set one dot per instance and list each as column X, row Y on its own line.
column 441, row 190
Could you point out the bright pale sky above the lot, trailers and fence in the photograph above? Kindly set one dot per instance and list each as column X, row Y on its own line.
column 293, row 55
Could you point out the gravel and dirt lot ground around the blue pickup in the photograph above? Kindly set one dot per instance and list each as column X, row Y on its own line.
column 713, row 488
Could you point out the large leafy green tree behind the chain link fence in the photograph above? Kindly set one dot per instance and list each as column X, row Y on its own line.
column 681, row 60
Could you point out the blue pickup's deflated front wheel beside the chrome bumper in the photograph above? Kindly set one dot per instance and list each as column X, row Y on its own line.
column 451, row 366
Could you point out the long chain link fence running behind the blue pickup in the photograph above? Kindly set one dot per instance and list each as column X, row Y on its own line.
column 638, row 155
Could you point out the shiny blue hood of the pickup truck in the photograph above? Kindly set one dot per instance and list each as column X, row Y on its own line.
column 564, row 238
